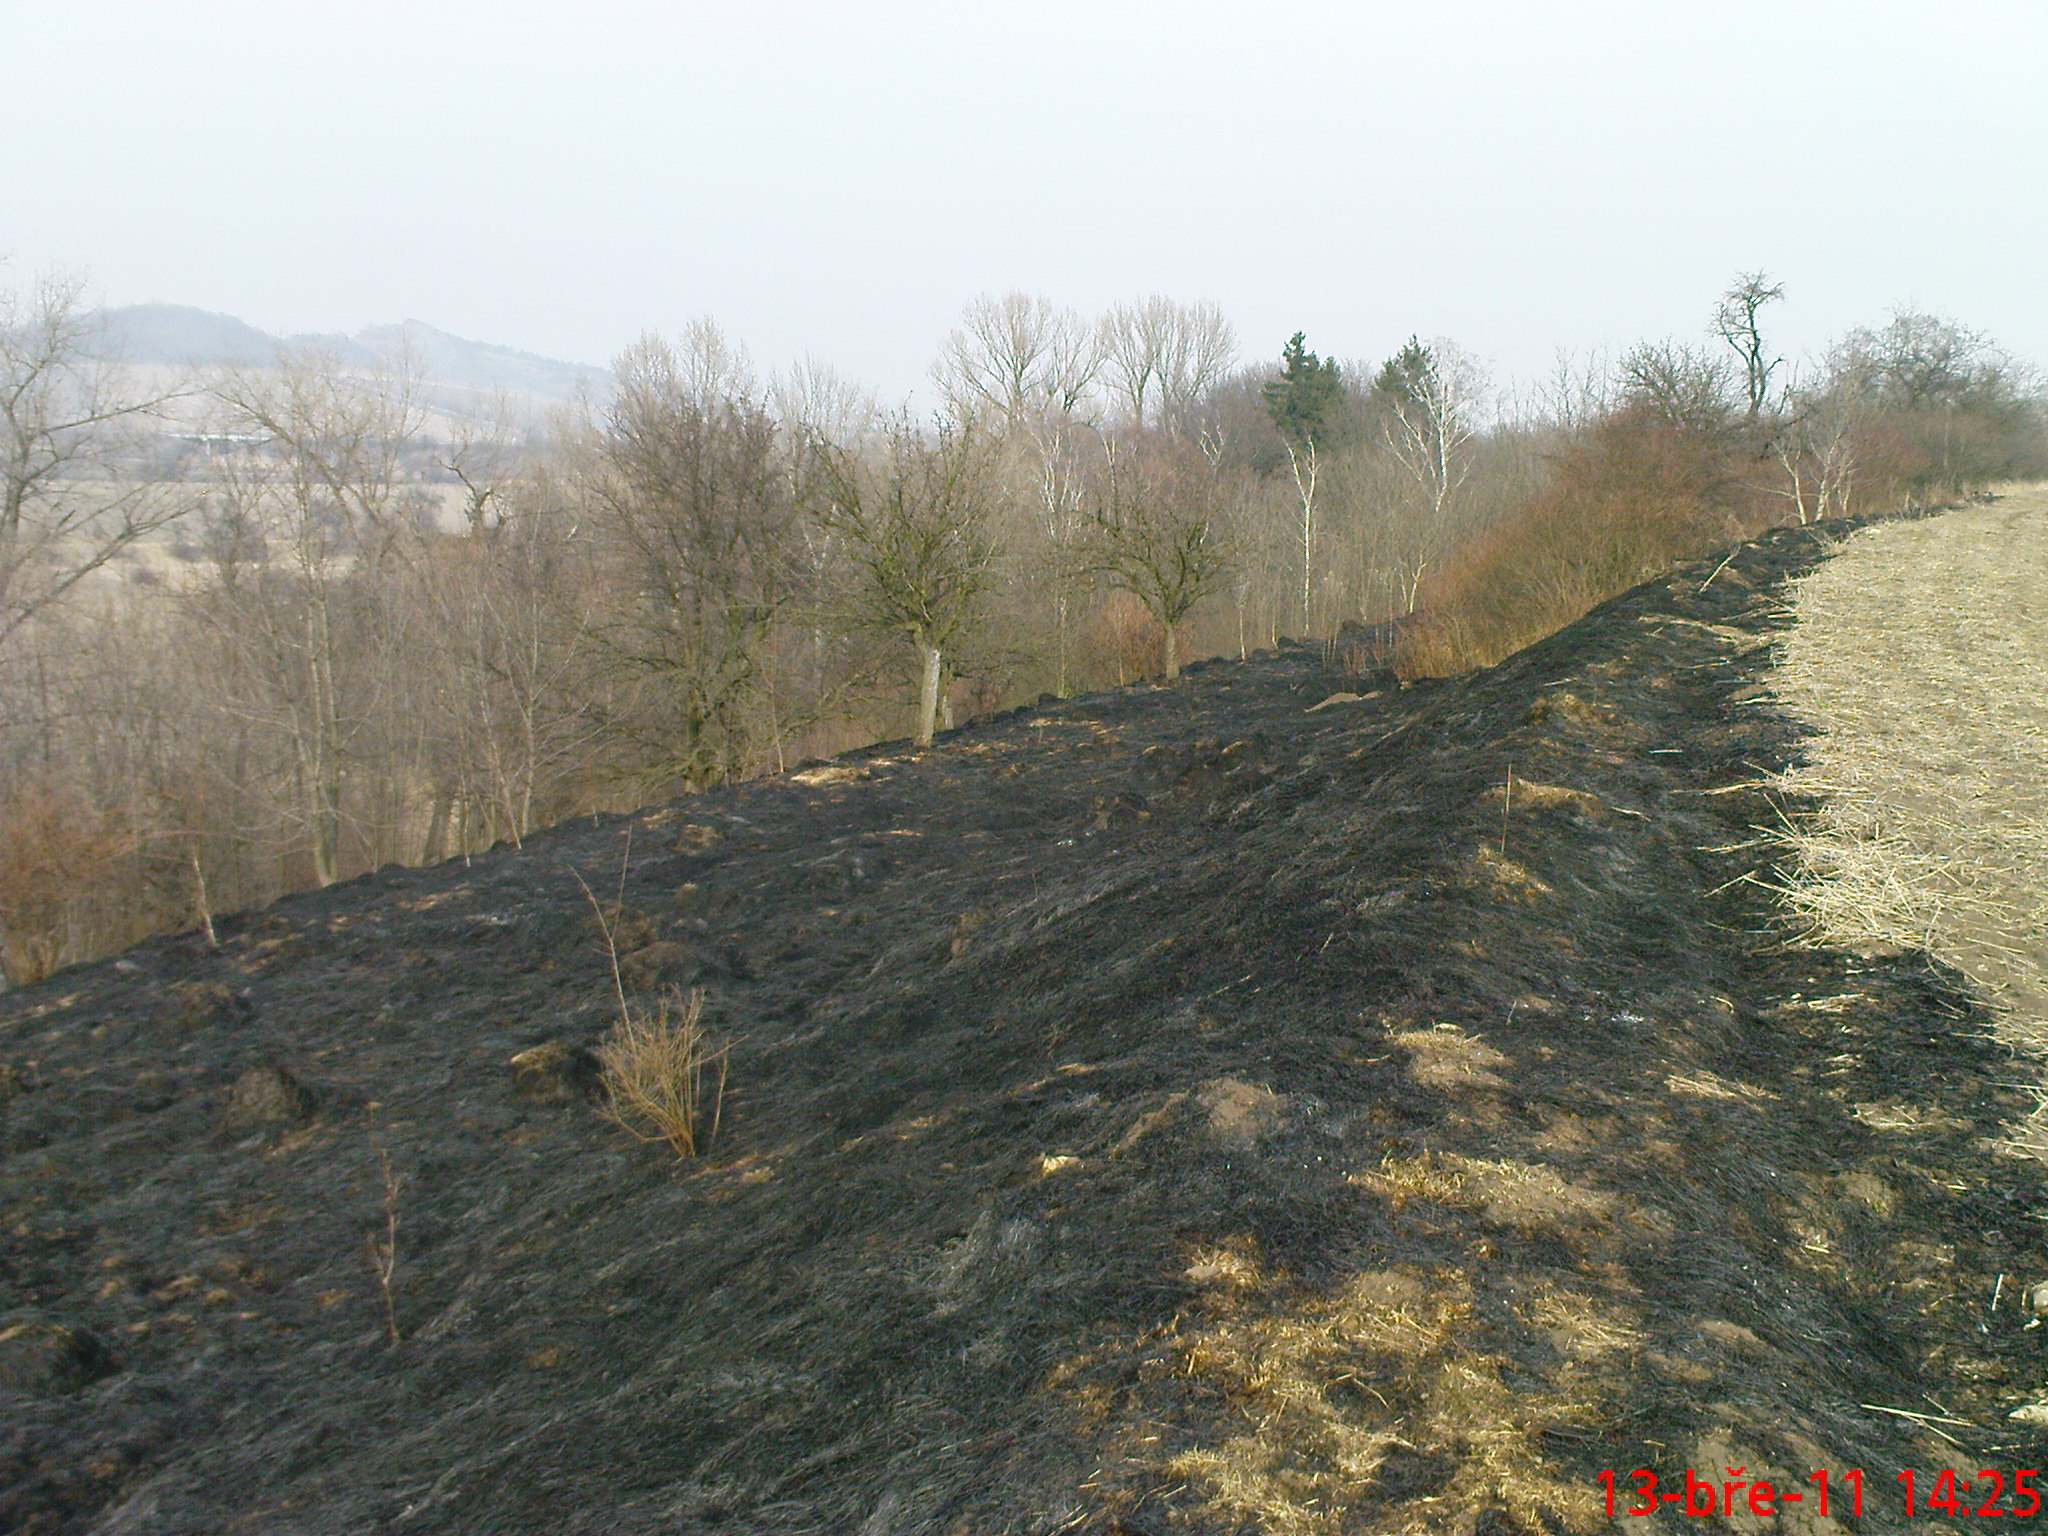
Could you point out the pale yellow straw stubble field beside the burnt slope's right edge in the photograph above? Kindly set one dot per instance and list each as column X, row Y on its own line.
column 1922, row 656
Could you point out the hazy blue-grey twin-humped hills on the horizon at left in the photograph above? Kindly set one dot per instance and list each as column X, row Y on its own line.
column 171, row 335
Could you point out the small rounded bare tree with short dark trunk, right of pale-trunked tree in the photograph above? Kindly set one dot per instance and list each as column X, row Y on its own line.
column 1158, row 519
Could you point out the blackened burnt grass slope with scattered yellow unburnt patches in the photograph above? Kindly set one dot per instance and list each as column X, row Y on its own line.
column 1168, row 1111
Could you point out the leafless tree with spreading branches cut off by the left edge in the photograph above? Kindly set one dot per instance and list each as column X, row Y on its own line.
column 75, row 445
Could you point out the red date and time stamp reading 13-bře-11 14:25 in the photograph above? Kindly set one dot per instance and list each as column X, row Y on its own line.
column 1828, row 1494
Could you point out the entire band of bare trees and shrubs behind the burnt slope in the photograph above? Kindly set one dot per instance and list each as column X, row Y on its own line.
column 323, row 626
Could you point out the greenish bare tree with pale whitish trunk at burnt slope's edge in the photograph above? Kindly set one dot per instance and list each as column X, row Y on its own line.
column 914, row 527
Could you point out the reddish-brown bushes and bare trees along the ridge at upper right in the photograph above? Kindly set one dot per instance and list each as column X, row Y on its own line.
column 1684, row 450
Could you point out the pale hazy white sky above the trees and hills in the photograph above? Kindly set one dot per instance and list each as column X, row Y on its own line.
column 839, row 177
